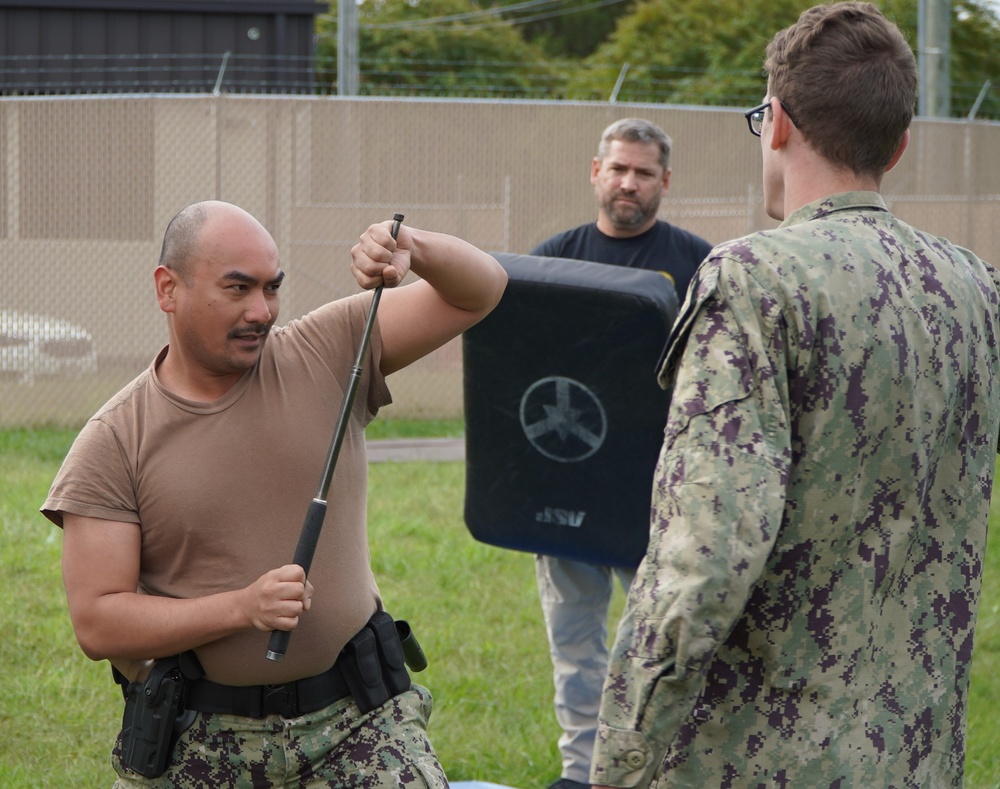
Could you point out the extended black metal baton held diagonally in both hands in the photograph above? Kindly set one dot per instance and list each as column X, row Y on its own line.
column 309, row 536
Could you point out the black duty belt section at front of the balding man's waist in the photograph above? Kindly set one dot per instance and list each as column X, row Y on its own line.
column 289, row 700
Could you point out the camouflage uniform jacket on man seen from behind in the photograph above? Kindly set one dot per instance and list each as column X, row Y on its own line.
column 804, row 615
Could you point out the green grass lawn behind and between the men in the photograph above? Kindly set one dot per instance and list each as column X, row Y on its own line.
column 474, row 608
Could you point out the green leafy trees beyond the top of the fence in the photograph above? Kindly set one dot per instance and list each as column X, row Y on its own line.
column 694, row 52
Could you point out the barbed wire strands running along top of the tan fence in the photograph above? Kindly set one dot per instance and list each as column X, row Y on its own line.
column 229, row 72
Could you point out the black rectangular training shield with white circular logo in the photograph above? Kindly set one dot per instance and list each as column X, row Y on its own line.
column 563, row 415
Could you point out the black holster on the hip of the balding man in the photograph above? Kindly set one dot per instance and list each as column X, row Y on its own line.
column 155, row 715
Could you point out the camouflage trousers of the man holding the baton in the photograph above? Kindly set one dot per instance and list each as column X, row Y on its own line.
column 337, row 746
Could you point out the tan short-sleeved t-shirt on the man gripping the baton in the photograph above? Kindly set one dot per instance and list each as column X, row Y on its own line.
column 220, row 490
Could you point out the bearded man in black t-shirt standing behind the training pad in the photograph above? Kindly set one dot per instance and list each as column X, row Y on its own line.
column 630, row 174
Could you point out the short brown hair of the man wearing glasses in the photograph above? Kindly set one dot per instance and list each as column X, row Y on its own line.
column 849, row 80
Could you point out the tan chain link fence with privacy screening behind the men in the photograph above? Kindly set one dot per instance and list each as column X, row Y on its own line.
column 88, row 184
